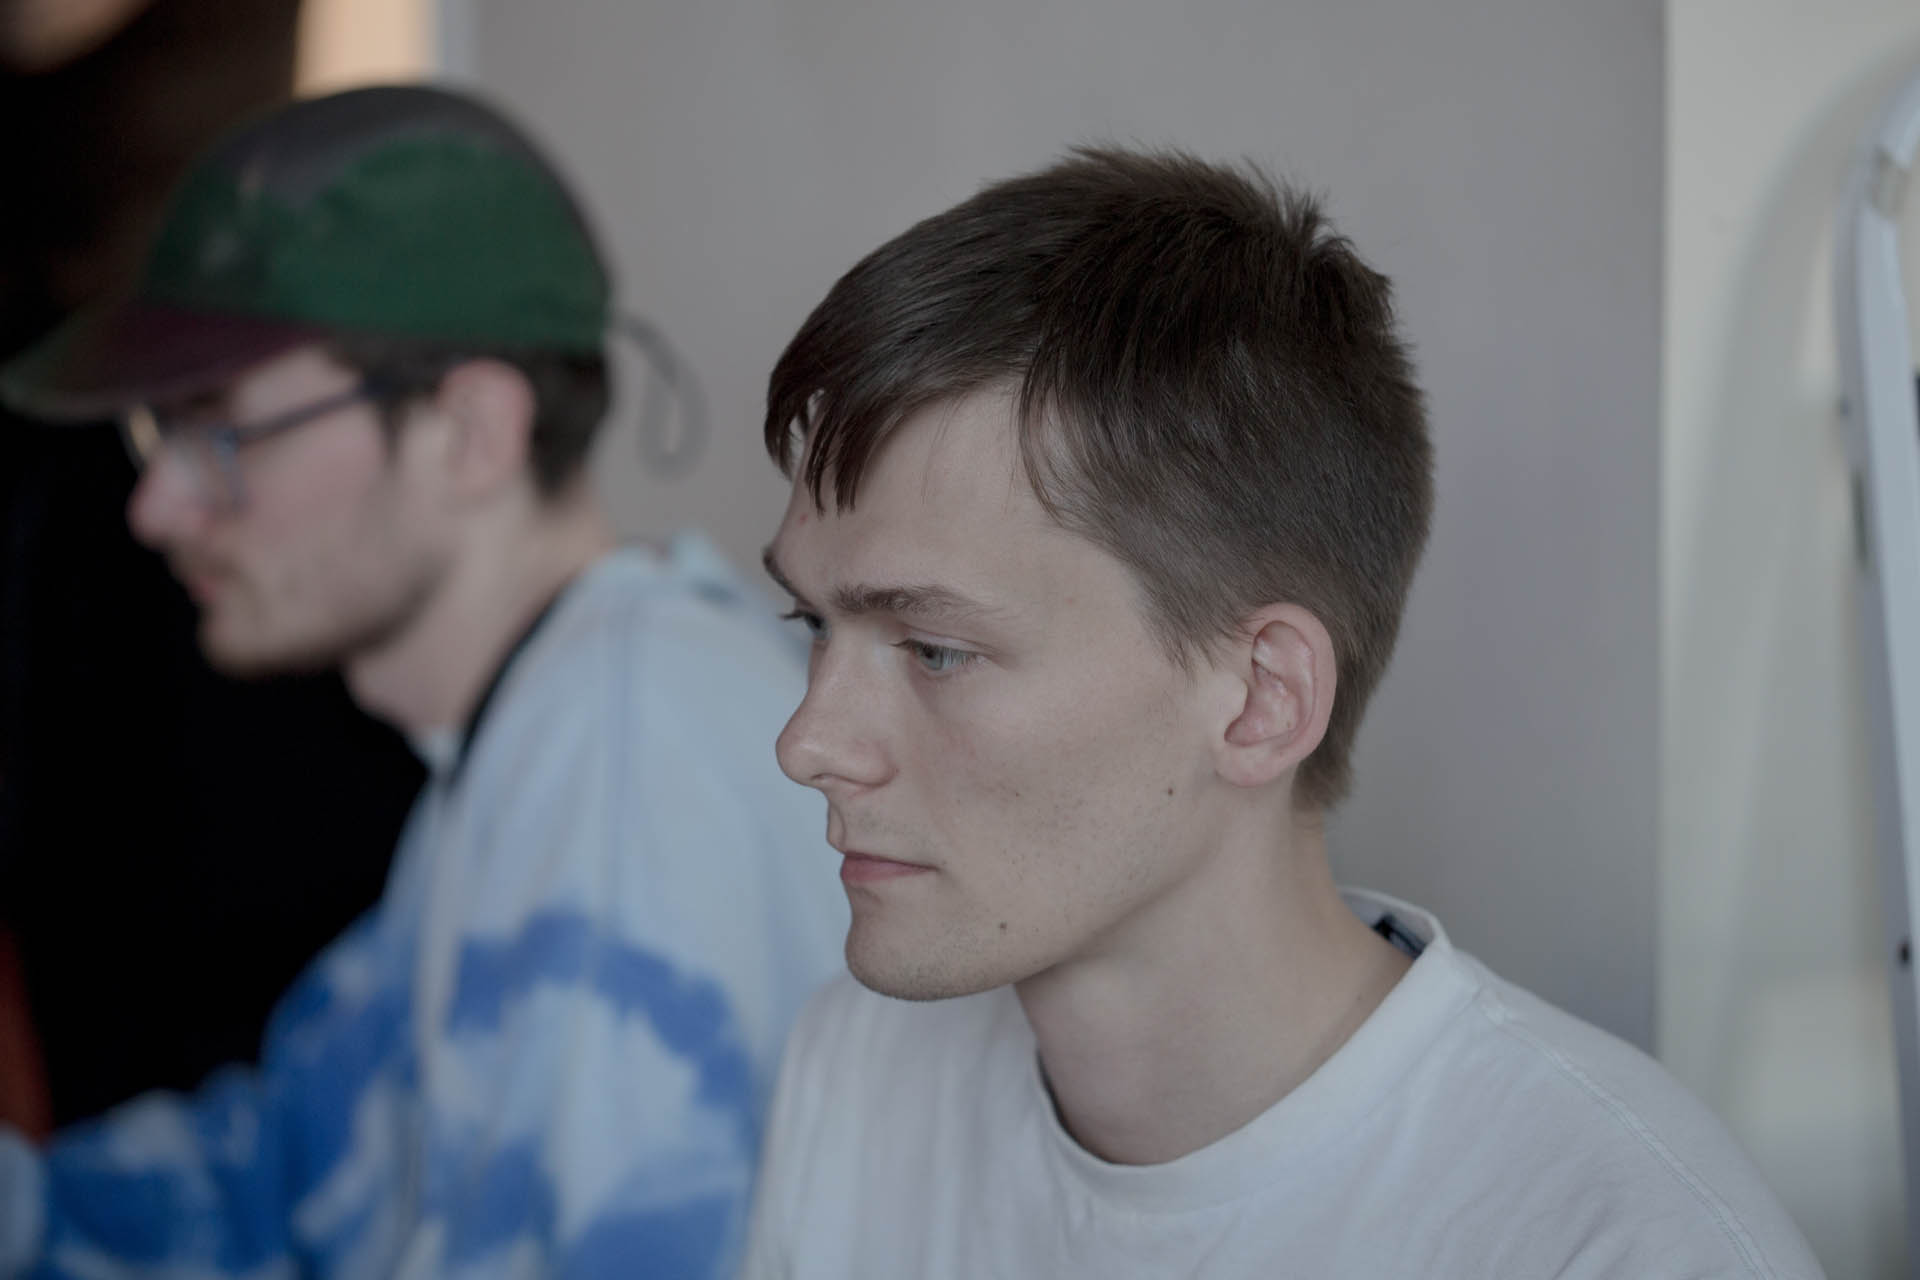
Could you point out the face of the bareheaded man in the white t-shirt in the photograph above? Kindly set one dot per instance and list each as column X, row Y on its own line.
column 1015, row 769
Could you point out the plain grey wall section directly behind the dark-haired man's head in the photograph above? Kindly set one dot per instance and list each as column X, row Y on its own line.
column 1499, row 158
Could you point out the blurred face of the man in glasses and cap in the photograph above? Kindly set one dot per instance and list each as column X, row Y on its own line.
column 331, row 550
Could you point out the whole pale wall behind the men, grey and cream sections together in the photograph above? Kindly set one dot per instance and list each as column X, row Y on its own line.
column 1620, row 621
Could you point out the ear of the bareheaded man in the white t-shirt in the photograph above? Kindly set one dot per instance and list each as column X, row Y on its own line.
column 1285, row 680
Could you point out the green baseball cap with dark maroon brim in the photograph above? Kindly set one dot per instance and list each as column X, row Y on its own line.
column 400, row 212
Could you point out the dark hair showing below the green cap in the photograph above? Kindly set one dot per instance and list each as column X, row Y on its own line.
column 571, row 392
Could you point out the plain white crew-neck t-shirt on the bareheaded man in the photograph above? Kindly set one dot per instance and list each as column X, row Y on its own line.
column 1468, row 1129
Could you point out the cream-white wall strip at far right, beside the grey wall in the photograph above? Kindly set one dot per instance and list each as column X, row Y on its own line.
column 1771, row 982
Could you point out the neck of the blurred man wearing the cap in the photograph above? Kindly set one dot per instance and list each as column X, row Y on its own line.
column 433, row 675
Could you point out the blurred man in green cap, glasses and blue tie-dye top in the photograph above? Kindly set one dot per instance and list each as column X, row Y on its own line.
column 362, row 373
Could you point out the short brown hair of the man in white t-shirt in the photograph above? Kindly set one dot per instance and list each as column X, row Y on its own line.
column 1211, row 389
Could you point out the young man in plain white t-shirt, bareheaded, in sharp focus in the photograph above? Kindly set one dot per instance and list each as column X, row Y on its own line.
column 1107, row 492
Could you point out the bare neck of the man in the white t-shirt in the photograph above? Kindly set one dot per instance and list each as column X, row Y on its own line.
column 1211, row 1007
